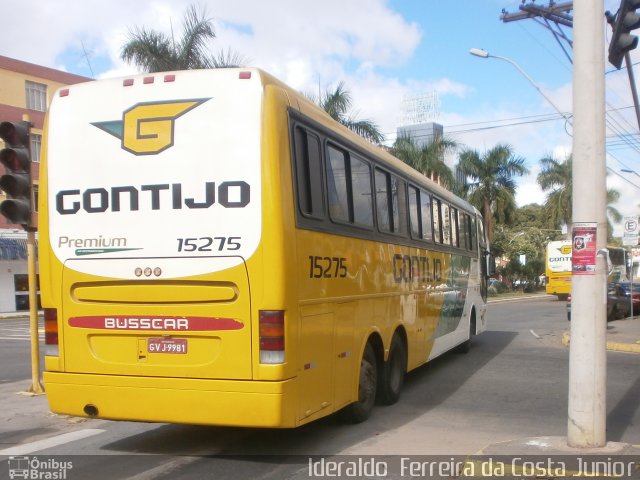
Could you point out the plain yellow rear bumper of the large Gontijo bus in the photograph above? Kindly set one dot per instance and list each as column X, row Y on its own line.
column 173, row 400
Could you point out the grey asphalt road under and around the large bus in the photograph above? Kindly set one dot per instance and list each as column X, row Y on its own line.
column 513, row 384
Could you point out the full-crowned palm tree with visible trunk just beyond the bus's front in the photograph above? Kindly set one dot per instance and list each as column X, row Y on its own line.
column 491, row 181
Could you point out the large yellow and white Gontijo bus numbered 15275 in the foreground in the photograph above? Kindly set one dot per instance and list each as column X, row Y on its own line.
column 214, row 249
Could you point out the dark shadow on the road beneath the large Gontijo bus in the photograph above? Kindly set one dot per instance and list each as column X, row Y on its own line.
column 425, row 388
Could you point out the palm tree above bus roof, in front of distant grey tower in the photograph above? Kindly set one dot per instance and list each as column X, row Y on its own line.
column 427, row 158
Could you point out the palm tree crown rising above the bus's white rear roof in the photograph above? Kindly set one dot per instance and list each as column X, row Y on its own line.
column 154, row 51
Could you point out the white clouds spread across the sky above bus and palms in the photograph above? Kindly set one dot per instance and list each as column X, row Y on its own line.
column 364, row 43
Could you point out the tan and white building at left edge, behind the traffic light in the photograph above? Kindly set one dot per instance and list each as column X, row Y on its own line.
column 25, row 92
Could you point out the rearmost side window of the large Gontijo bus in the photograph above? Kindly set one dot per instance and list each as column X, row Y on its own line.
column 308, row 173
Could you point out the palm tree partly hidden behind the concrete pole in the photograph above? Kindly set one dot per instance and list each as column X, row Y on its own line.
column 556, row 176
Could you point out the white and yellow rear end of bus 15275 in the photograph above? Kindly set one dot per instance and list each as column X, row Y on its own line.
column 154, row 253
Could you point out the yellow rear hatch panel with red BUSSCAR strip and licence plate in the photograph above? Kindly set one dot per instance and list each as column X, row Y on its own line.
column 190, row 327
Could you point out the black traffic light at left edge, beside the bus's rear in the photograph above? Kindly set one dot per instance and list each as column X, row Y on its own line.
column 16, row 182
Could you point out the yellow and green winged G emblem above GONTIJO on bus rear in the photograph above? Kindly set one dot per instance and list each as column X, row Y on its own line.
column 148, row 128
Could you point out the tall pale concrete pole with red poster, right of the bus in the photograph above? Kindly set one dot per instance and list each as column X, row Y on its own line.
column 587, row 356
